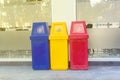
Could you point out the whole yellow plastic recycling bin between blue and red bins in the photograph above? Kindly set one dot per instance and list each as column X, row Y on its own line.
column 58, row 46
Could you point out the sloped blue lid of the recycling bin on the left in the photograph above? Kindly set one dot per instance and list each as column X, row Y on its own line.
column 39, row 30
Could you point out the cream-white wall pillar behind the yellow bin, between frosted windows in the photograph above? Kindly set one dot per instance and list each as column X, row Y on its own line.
column 64, row 10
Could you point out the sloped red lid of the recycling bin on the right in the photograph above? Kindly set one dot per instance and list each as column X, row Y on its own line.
column 78, row 30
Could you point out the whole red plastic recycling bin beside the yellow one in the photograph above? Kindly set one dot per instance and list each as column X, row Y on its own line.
column 78, row 46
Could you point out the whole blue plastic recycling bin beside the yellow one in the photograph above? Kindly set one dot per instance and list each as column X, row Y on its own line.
column 40, row 46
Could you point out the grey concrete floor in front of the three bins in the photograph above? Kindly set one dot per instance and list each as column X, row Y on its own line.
column 26, row 73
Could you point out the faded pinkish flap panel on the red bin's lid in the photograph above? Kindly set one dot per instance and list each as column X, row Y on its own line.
column 78, row 28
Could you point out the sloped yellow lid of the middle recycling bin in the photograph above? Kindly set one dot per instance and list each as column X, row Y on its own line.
column 58, row 31
